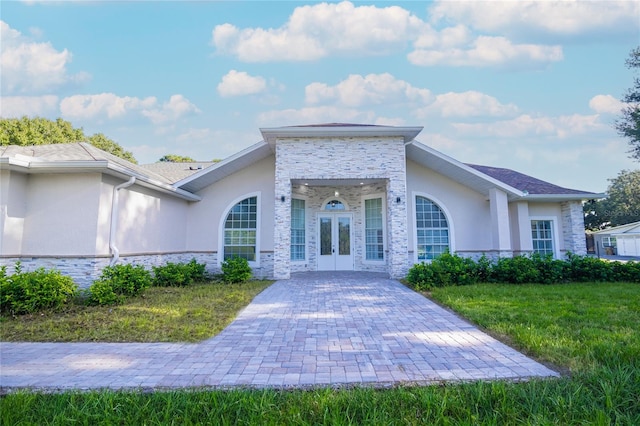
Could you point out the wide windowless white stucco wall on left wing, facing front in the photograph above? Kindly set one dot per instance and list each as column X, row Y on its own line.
column 61, row 212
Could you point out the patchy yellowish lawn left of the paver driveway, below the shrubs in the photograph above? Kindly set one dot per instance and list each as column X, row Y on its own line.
column 161, row 314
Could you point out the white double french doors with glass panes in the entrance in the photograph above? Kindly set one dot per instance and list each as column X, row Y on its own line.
column 335, row 248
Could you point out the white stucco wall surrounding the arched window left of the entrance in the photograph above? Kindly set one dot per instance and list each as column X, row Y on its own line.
column 204, row 217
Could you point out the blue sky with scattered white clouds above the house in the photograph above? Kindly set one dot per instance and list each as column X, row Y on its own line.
column 529, row 85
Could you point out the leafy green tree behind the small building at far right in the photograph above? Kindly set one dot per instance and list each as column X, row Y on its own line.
column 621, row 206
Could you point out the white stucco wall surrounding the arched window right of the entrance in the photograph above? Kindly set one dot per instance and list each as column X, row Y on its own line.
column 468, row 211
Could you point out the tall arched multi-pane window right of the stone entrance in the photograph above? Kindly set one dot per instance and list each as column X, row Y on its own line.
column 431, row 228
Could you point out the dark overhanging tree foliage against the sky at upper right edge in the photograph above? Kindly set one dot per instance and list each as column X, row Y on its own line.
column 628, row 126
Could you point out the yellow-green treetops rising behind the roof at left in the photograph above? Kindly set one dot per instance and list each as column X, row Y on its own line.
column 27, row 131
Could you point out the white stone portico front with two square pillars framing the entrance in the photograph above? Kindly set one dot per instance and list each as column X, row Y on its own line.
column 341, row 159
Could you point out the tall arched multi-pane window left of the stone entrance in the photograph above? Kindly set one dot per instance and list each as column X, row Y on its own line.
column 240, row 230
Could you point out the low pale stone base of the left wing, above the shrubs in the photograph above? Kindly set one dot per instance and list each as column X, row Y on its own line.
column 84, row 270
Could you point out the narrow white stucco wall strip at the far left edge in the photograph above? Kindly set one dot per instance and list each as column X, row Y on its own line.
column 13, row 208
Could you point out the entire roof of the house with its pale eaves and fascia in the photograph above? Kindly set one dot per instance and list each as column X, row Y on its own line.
column 182, row 180
